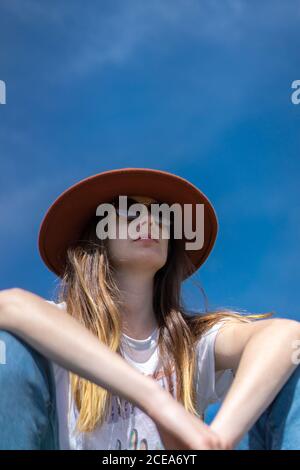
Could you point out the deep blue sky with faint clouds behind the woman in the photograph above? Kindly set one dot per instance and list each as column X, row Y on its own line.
column 198, row 88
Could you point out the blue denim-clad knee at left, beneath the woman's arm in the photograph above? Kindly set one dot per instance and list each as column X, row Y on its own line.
column 27, row 397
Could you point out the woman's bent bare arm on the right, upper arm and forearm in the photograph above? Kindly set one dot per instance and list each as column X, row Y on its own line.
column 260, row 354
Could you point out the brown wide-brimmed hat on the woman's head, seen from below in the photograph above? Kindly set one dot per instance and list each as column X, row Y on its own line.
column 67, row 217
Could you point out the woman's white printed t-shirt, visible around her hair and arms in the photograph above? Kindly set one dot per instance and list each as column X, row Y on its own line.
column 127, row 426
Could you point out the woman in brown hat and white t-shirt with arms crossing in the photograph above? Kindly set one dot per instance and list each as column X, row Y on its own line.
column 121, row 320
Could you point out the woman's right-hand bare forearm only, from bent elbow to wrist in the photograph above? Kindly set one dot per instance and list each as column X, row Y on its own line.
column 264, row 367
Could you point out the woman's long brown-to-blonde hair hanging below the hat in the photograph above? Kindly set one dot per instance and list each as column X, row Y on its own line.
column 92, row 297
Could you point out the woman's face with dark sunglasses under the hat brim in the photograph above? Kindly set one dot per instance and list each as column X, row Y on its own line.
column 140, row 253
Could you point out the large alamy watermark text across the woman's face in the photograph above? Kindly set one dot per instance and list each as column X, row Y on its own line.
column 176, row 216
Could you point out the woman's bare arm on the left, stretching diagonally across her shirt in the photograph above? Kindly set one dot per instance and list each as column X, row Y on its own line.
column 62, row 339
